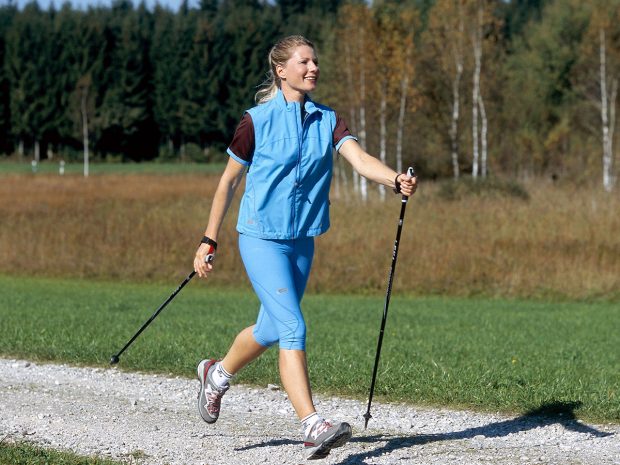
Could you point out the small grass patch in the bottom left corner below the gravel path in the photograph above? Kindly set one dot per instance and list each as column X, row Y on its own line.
column 23, row 453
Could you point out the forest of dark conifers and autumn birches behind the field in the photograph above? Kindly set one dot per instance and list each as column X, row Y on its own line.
column 514, row 89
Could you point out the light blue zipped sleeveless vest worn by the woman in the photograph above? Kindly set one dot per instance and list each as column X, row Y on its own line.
column 287, row 186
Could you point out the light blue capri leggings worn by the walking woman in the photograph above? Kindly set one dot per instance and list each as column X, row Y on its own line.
column 278, row 270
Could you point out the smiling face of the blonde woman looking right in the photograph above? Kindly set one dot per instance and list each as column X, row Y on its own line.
column 300, row 73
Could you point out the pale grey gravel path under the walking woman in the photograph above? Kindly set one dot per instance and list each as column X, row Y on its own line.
column 147, row 419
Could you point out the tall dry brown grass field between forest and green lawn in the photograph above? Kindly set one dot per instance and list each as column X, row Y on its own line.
column 560, row 243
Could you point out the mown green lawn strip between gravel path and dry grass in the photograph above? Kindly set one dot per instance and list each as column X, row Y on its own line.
column 493, row 355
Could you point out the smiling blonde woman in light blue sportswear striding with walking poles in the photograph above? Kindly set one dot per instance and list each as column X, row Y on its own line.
column 285, row 145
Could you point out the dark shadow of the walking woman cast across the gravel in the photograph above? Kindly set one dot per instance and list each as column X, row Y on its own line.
column 554, row 413
